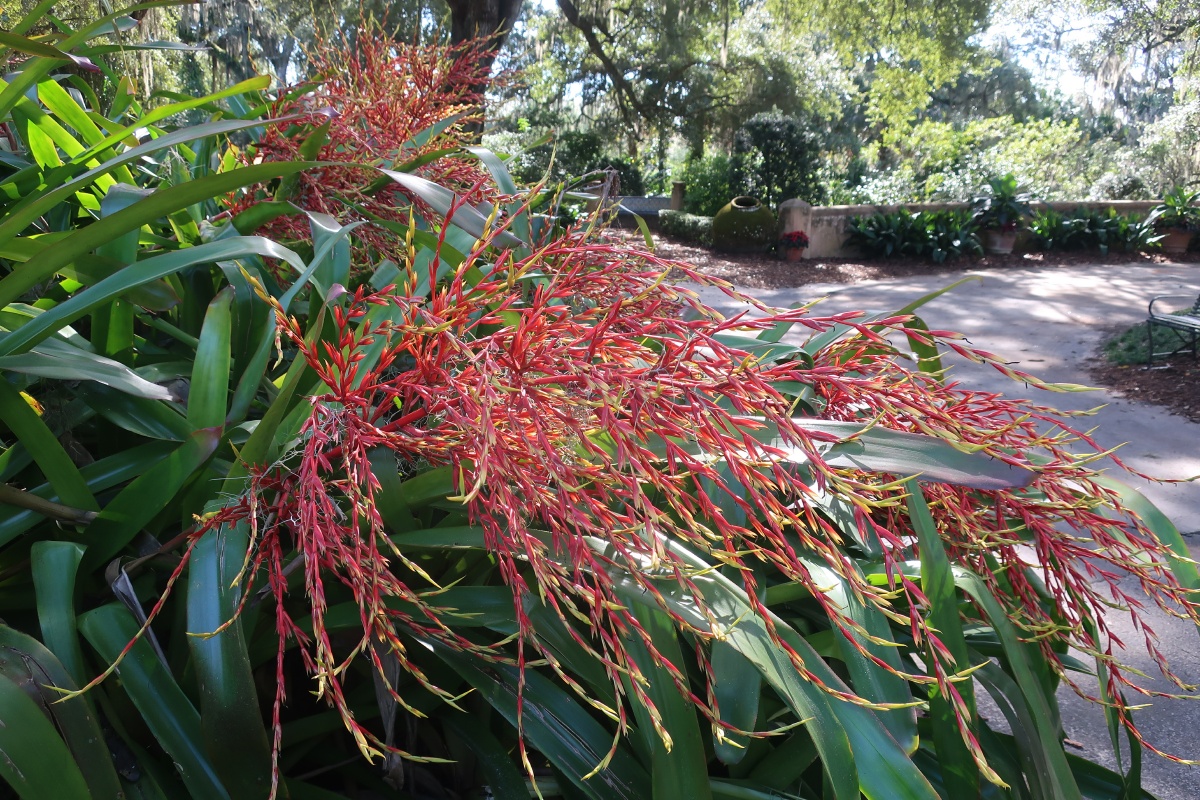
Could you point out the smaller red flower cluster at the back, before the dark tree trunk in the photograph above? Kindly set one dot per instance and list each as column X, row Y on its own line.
column 373, row 103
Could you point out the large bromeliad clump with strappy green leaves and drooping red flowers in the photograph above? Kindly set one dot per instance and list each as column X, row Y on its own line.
column 505, row 504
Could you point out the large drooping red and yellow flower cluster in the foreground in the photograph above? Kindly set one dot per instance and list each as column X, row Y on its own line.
column 593, row 414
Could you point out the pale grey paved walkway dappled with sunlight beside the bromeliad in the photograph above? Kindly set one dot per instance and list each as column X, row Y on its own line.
column 1048, row 321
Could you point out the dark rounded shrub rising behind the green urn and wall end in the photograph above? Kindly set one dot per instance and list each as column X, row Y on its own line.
column 776, row 158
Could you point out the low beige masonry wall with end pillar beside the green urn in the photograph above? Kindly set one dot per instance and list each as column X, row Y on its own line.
column 826, row 226
